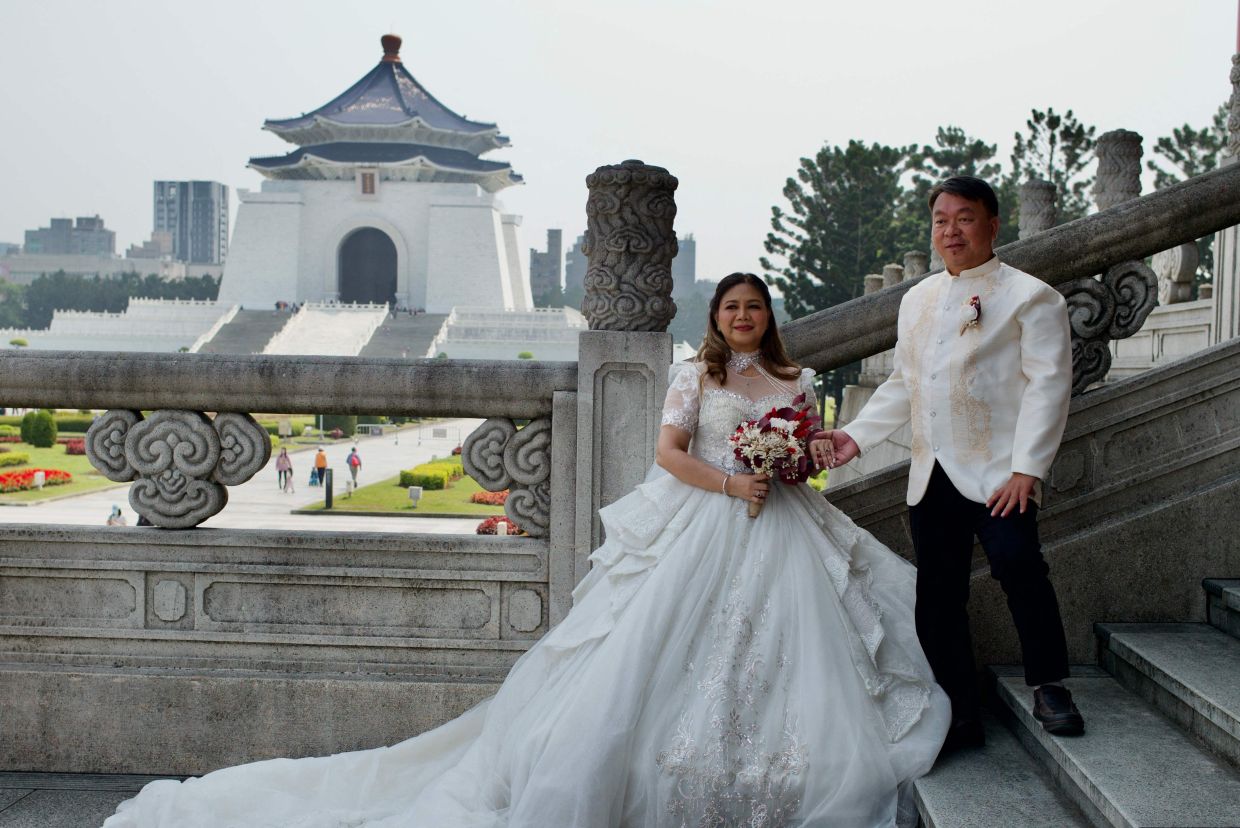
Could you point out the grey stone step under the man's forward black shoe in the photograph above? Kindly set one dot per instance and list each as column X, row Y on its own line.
column 1134, row 768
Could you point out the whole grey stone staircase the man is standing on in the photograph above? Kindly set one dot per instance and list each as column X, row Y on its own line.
column 1161, row 749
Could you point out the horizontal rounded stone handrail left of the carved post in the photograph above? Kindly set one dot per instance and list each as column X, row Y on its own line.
column 211, row 382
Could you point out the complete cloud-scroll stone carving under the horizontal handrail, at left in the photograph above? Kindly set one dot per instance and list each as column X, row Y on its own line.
column 183, row 462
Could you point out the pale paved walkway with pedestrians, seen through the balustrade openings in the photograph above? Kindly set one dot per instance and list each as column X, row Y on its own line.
column 261, row 505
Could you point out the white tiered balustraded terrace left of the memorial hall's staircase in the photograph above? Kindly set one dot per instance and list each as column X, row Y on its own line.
column 159, row 325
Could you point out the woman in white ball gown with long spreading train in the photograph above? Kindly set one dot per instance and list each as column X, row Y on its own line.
column 716, row 670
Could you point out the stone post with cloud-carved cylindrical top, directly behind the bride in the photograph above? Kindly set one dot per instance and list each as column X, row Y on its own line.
column 624, row 358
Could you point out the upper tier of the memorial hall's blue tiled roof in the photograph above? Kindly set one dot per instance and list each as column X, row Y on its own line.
column 389, row 95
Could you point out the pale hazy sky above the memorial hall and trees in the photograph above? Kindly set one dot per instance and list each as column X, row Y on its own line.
column 99, row 100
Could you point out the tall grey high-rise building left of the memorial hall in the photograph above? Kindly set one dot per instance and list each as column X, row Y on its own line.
column 195, row 214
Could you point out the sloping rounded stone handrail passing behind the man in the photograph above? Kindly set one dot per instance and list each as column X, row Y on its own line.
column 1134, row 230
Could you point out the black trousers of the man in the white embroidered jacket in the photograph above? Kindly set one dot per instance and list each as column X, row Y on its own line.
column 944, row 526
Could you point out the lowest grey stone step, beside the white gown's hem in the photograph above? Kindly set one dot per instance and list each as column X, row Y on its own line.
column 998, row 785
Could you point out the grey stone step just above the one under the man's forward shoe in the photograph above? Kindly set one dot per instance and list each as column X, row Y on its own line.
column 1191, row 672
